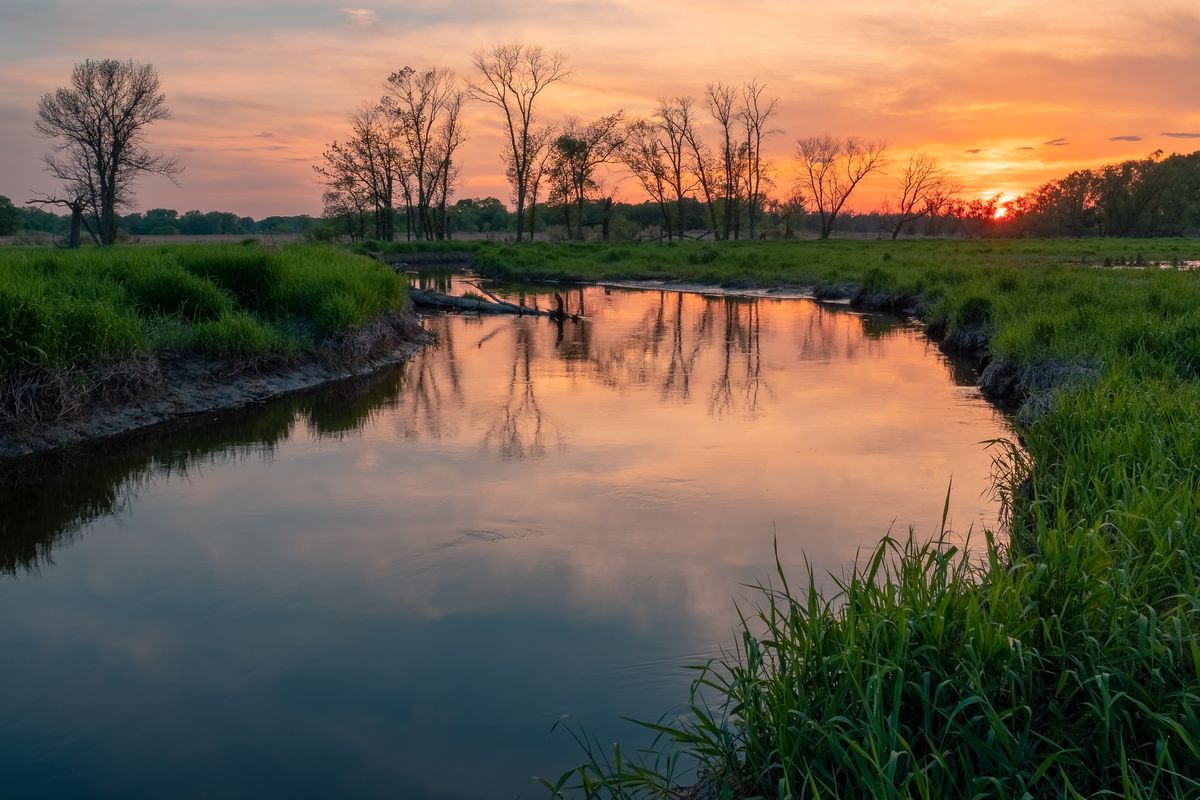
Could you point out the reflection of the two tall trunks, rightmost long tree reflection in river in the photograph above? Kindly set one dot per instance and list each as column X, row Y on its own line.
column 740, row 387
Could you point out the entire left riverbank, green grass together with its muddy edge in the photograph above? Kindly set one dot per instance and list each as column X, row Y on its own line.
column 99, row 344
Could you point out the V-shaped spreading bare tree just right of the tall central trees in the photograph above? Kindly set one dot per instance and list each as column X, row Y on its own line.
column 831, row 170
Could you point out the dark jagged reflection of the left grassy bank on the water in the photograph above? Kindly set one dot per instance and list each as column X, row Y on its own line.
column 46, row 502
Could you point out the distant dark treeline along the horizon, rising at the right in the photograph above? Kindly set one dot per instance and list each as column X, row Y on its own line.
column 1149, row 199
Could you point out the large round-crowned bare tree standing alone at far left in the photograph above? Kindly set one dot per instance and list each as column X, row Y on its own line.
column 98, row 125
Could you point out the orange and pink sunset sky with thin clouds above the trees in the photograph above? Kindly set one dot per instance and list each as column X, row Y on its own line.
column 1006, row 94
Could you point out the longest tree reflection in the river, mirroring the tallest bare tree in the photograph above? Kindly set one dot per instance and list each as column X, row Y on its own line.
column 520, row 428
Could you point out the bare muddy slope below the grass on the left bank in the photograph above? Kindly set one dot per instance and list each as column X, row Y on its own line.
column 152, row 390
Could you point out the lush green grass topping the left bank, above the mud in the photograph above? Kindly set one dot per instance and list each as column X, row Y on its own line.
column 63, row 309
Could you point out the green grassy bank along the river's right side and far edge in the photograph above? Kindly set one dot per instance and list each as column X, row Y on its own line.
column 1066, row 664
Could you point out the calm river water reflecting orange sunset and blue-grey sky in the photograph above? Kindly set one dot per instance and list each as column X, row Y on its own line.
column 395, row 587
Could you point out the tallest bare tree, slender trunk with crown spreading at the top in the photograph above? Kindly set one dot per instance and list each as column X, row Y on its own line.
column 513, row 76
